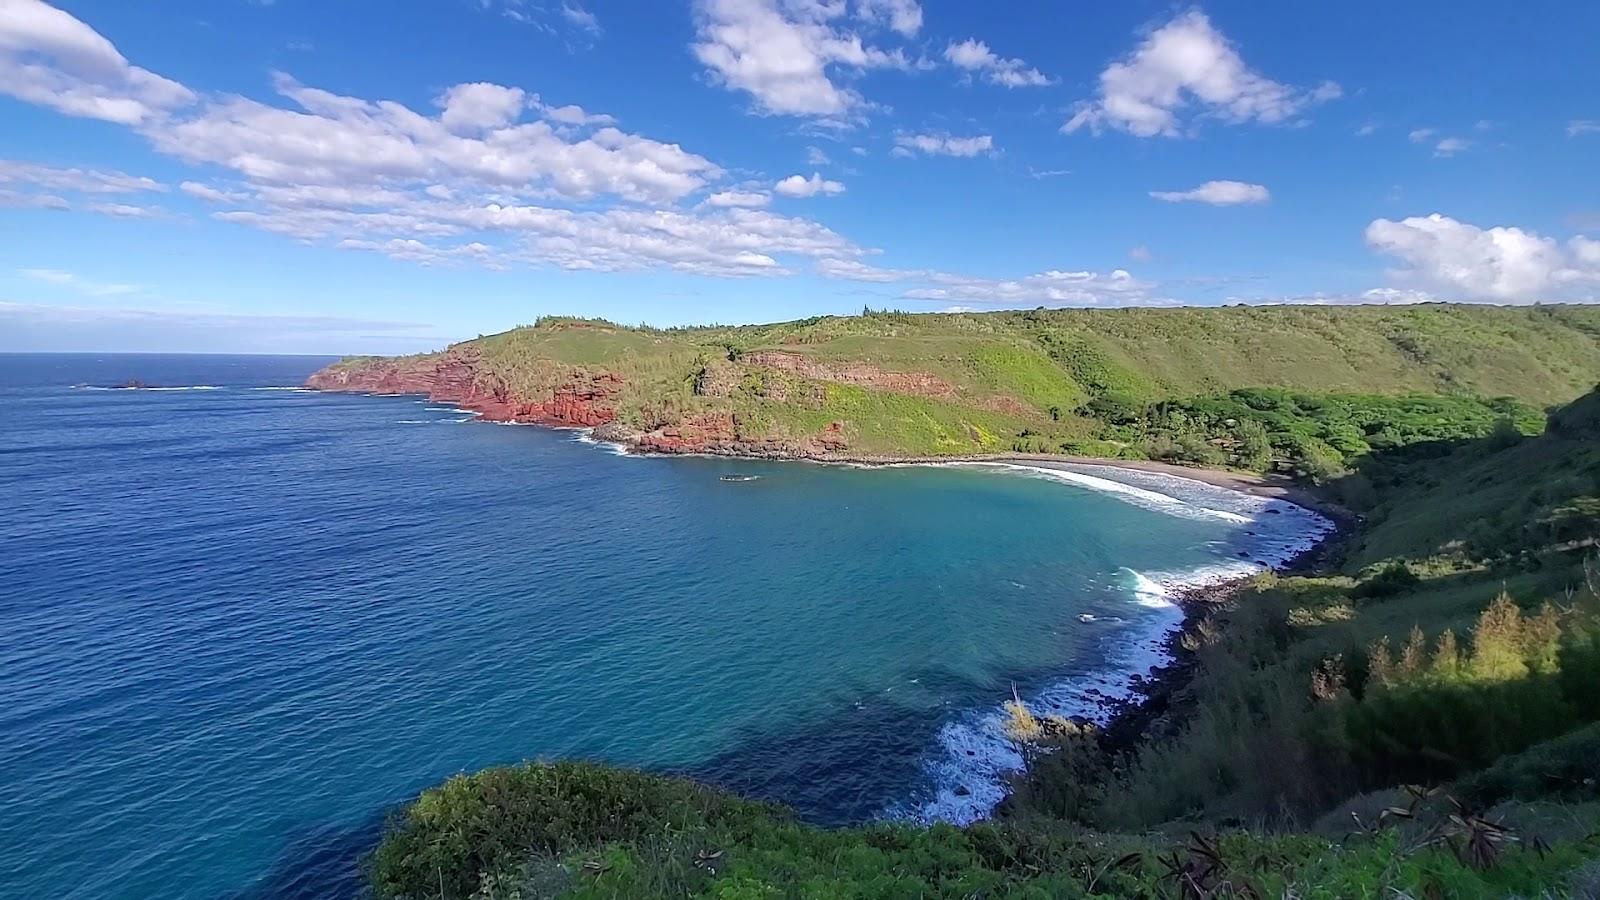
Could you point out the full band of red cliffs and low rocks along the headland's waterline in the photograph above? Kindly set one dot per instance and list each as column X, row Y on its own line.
column 585, row 400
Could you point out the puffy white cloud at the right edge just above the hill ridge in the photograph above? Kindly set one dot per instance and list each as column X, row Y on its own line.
column 1505, row 265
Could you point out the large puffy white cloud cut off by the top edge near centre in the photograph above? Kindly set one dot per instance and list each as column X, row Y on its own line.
column 783, row 54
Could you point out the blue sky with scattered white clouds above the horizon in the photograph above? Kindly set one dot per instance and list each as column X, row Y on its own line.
column 390, row 177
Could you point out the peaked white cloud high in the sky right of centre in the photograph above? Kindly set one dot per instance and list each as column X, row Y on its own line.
column 1183, row 63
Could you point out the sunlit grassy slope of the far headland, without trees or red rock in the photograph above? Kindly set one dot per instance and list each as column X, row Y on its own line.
column 1012, row 371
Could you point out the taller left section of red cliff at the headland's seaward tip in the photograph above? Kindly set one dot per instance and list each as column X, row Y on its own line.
column 458, row 377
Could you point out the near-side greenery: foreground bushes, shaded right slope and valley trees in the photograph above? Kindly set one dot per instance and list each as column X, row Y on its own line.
column 1418, row 718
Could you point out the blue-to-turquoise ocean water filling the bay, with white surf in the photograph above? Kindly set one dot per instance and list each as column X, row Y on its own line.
column 239, row 624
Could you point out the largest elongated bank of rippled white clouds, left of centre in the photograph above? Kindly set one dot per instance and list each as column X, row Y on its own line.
column 487, row 179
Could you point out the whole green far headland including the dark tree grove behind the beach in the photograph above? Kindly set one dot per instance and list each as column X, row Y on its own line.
column 1297, row 390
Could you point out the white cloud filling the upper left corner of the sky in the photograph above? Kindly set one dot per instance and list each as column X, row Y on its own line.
column 50, row 58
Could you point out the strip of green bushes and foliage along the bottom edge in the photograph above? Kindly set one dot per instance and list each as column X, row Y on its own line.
column 580, row 830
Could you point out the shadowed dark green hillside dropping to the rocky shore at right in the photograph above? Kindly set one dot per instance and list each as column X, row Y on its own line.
column 1470, row 521
